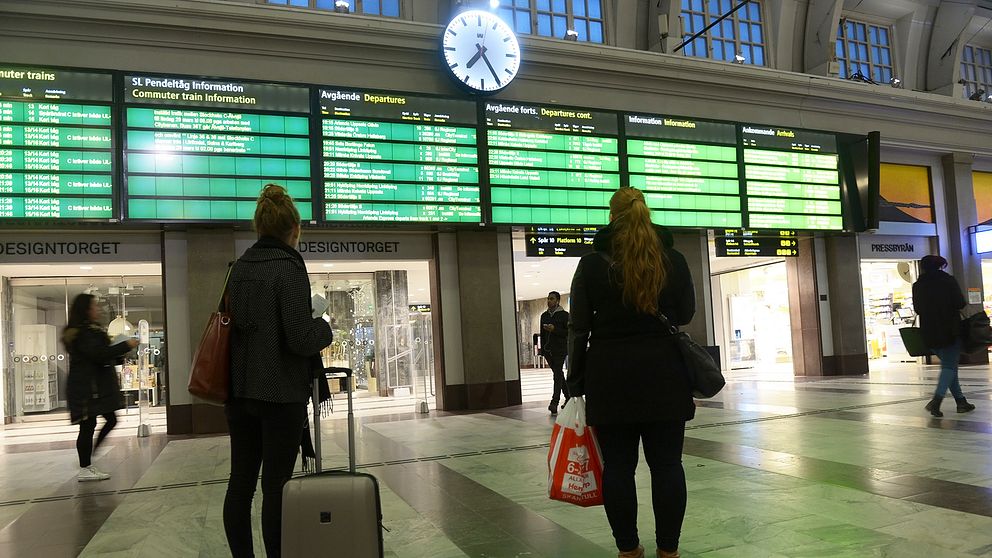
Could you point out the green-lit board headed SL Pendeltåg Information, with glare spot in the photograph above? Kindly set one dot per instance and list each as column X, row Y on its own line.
column 202, row 150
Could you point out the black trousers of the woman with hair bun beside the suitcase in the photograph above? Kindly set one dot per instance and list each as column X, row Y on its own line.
column 267, row 436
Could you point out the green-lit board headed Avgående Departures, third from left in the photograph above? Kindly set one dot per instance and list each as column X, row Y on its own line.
column 399, row 158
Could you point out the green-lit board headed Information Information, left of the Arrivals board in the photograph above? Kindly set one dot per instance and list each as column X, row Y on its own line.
column 686, row 168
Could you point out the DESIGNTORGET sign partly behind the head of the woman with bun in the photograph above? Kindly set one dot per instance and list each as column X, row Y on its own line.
column 357, row 246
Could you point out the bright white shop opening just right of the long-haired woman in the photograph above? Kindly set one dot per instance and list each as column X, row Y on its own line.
column 751, row 313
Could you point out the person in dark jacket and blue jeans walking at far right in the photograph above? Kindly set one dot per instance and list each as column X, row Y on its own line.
column 937, row 300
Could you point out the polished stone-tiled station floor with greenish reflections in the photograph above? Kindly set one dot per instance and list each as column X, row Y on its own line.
column 776, row 467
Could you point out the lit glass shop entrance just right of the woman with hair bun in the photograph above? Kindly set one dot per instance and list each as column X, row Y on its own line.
column 381, row 316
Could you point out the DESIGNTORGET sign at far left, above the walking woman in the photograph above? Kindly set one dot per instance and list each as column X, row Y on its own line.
column 79, row 248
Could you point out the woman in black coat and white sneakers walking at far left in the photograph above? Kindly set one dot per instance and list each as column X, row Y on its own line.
column 93, row 388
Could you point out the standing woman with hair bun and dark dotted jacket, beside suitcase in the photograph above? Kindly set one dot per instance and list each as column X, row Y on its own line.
column 274, row 338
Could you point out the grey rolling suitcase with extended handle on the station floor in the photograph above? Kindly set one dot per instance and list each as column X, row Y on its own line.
column 333, row 514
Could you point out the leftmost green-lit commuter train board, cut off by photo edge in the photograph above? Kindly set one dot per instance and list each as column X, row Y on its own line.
column 56, row 144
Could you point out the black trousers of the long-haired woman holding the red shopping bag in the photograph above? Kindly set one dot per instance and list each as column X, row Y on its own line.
column 663, row 451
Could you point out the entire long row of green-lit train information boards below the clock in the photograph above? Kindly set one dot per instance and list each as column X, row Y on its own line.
column 200, row 150
